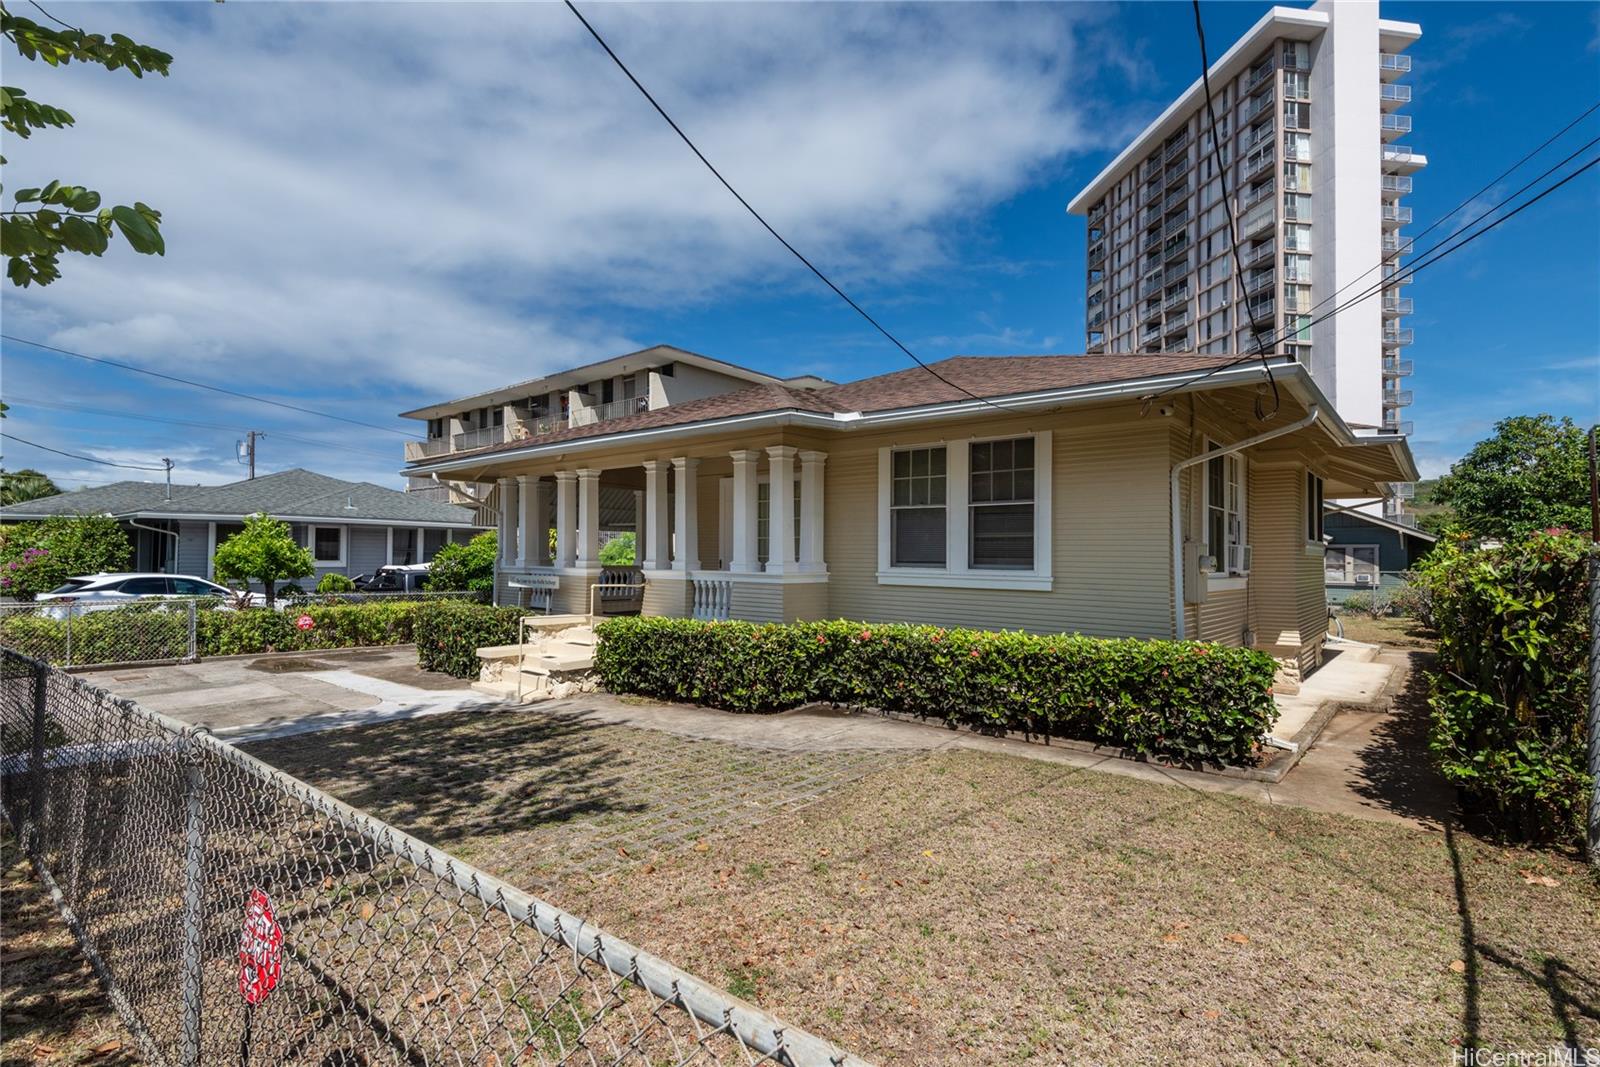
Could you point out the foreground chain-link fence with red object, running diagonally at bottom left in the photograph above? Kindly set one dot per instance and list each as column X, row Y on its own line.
column 241, row 916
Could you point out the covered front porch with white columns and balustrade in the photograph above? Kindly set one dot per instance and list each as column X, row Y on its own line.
column 719, row 535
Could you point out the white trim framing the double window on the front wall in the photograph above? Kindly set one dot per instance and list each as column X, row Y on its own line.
column 958, row 489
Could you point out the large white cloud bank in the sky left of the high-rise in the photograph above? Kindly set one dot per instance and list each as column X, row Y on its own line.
column 436, row 198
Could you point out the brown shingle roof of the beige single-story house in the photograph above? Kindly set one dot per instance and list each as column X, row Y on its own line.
column 988, row 377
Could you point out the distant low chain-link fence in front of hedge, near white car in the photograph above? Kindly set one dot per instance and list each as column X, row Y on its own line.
column 78, row 634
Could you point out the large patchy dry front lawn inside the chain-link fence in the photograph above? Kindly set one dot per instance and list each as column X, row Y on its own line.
column 964, row 908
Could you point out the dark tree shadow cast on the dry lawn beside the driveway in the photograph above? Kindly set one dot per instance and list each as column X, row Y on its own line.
column 465, row 775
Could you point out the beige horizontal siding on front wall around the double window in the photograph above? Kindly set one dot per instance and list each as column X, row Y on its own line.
column 1110, row 541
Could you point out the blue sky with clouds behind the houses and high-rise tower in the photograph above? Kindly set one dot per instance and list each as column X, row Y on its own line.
column 372, row 207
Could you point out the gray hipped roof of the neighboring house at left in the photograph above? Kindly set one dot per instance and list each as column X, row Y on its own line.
column 290, row 494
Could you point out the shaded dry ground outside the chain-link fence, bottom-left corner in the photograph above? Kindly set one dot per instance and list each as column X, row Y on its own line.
column 52, row 1010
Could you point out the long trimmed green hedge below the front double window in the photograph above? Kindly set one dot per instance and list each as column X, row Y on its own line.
column 1183, row 701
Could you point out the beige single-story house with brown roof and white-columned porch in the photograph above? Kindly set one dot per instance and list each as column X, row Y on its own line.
column 1108, row 495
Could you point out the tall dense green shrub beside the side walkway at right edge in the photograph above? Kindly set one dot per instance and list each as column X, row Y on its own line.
column 1510, row 693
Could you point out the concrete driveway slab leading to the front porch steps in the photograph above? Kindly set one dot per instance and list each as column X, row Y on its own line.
column 268, row 697
